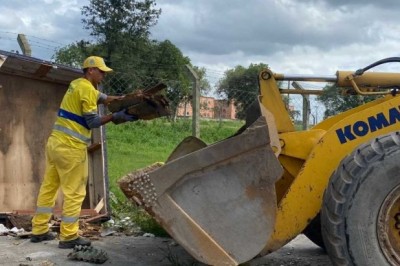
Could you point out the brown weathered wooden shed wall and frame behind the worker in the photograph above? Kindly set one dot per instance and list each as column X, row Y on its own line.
column 30, row 94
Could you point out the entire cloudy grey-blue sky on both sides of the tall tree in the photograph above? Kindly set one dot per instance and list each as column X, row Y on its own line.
column 291, row 36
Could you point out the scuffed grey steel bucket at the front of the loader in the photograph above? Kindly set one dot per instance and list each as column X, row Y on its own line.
column 218, row 202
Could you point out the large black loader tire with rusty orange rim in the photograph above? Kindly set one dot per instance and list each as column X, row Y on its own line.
column 360, row 216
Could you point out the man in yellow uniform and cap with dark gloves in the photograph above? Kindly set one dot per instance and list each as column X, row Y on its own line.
column 66, row 154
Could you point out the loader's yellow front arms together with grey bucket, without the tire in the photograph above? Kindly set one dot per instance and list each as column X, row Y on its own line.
column 254, row 192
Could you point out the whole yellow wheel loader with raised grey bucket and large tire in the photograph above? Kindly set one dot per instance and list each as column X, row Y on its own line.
column 250, row 194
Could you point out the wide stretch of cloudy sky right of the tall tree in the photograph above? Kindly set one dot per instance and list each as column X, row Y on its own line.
column 310, row 37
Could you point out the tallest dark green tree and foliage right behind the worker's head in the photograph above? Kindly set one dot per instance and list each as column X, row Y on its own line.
column 121, row 28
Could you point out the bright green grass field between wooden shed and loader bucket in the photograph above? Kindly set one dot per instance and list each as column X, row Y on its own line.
column 132, row 146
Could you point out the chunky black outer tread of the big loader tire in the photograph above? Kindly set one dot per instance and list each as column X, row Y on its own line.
column 338, row 195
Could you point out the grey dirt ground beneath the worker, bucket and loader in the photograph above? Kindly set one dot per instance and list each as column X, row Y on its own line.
column 144, row 251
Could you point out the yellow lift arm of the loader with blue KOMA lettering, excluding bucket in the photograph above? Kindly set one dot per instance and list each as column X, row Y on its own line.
column 310, row 157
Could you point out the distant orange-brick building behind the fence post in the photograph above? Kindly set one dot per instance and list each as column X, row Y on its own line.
column 209, row 108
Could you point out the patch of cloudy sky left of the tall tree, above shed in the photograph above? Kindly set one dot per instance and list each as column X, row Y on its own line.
column 48, row 24
